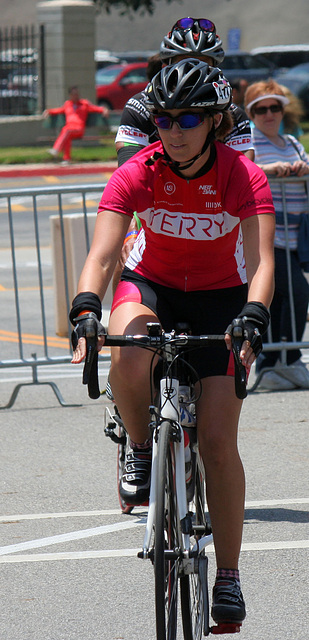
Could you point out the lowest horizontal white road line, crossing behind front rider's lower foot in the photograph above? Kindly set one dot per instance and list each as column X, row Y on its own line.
column 121, row 553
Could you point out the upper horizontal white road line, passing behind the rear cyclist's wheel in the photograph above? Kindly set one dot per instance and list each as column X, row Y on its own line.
column 137, row 510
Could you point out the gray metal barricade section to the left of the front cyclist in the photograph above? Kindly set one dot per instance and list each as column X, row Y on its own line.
column 26, row 281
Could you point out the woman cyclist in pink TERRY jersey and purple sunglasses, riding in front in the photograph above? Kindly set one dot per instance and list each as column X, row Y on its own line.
column 208, row 219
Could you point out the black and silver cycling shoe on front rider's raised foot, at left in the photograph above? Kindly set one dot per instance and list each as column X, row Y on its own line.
column 134, row 485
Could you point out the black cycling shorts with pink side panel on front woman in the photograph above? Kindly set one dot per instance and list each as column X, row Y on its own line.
column 206, row 312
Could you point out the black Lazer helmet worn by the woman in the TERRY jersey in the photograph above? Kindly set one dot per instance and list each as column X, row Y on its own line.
column 186, row 84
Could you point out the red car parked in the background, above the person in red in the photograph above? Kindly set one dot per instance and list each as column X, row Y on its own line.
column 117, row 83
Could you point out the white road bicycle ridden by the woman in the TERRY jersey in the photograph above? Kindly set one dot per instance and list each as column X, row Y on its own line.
column 177, row 531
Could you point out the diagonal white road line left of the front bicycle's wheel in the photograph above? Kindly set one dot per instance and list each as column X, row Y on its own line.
column 68, row 537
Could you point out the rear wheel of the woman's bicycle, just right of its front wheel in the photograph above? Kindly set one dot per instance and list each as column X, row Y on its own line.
column 194, row 587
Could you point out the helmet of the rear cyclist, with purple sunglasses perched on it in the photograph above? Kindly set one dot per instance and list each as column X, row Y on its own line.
column 192, row 36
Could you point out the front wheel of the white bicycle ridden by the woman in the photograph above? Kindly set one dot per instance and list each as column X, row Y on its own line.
column 167, row 539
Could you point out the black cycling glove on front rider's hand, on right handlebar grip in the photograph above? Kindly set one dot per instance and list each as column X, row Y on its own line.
column 255, row 319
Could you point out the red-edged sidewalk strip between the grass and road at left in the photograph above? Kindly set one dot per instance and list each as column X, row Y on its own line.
column 56, row 169
